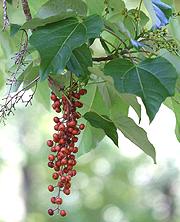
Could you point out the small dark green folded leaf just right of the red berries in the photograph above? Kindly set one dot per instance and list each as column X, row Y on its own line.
column 103, row 122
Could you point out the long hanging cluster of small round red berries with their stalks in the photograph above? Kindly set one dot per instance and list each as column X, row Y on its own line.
column 63, row 149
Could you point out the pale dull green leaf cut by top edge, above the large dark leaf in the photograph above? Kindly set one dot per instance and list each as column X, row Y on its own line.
column 62, row 7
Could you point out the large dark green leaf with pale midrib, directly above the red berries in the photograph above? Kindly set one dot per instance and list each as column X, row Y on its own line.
column 55, row 43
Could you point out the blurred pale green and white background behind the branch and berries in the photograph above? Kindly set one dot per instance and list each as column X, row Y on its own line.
column 112, row 185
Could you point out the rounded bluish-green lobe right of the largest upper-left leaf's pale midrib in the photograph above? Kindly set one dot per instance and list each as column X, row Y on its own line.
column 94, row 25
